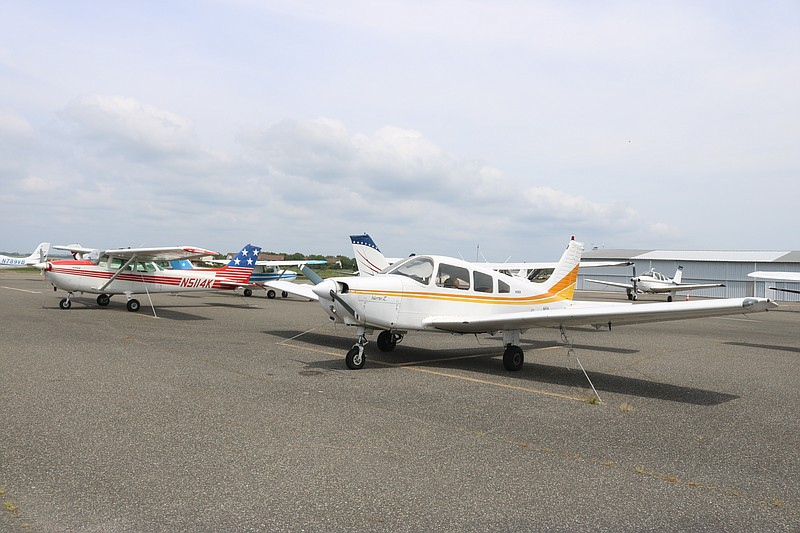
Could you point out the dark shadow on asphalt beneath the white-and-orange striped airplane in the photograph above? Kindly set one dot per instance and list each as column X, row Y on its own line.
column 477, row 360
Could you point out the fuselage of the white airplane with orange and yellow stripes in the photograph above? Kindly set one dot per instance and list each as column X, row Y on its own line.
column 424, row 286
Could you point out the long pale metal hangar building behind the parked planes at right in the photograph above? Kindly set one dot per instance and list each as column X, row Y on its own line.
column 728, row 267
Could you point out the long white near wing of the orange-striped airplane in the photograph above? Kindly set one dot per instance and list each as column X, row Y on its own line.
column 599, row 315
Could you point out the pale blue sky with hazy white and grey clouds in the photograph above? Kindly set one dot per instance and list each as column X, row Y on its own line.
column 497, row 128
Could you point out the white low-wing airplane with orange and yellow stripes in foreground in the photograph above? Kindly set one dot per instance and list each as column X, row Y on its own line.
column 434, row 293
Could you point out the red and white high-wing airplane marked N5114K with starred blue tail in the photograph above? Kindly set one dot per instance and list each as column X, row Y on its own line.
column 132, row 271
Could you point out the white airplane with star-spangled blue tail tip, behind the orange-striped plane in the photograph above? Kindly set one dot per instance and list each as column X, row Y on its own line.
column 370, row 261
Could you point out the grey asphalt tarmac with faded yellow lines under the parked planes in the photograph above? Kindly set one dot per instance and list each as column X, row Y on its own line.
column 227, row 413
